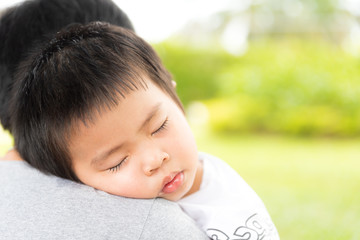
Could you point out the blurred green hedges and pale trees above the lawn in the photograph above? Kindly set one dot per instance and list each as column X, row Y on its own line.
column 284, row 71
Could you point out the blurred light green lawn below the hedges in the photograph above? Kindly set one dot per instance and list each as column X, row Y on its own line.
column 310, row 187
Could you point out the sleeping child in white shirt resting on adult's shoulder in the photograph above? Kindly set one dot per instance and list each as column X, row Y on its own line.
column 96, row 106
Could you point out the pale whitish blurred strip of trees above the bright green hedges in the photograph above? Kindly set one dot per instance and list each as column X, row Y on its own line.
column 333, row 20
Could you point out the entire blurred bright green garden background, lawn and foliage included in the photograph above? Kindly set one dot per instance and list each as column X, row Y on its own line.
column 272, row 87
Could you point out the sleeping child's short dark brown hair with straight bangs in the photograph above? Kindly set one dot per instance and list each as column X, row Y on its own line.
column 86, row 69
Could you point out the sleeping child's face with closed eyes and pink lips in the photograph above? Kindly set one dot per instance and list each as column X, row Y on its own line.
column 142, row 148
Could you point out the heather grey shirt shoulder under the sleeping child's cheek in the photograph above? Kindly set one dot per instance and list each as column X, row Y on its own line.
column 34, row 205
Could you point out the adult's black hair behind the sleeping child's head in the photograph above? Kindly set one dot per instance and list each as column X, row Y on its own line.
column 33, row 22
